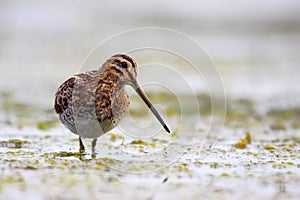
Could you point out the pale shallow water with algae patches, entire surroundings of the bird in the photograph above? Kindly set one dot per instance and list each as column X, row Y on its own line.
column 255, row 48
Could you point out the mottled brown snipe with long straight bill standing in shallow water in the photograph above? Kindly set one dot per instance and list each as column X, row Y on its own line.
column 92, row 103
